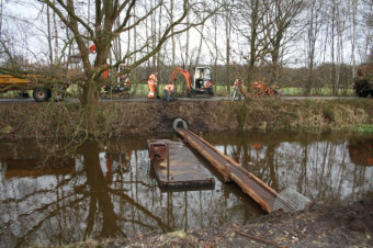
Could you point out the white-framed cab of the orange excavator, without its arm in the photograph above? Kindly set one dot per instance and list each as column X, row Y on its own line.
column 202, row 82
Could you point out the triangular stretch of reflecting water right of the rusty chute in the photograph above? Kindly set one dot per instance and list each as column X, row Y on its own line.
column 331, row 169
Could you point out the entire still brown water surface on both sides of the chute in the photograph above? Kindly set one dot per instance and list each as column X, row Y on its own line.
column 109, row 190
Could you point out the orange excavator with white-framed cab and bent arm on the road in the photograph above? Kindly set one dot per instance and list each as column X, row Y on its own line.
column 201, row 83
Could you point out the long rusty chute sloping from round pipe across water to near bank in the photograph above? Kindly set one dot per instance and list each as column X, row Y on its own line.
column 264, row 195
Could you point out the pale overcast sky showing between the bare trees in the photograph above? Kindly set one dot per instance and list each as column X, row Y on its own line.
column 26, row 24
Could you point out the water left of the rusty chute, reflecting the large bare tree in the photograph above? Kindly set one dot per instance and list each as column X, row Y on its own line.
column 101, row 193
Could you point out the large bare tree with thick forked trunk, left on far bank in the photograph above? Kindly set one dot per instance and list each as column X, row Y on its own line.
column 110, row 20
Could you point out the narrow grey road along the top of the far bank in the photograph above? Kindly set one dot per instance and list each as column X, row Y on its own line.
column 216, row 98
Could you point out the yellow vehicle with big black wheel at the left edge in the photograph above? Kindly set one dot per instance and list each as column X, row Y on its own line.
column 40, row 92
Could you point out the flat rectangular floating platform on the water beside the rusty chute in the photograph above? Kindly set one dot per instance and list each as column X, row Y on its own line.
column 176, row 166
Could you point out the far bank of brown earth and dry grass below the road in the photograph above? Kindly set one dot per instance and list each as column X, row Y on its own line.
column 147, row 118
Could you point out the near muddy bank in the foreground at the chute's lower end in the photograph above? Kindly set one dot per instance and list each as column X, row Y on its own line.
column 318, row 226
